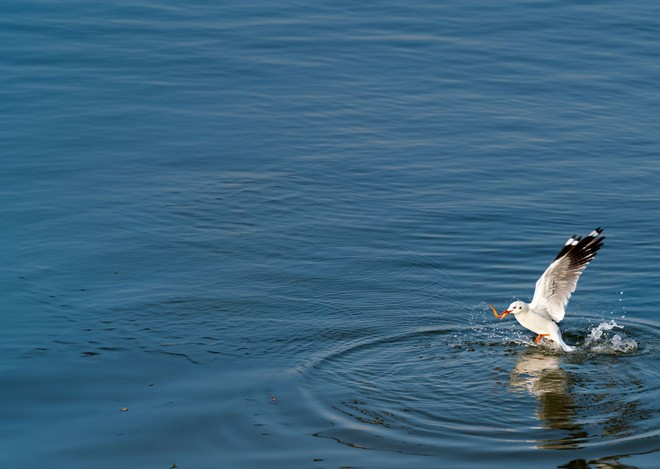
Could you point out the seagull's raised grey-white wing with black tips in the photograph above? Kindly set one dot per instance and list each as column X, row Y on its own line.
column 559, row 280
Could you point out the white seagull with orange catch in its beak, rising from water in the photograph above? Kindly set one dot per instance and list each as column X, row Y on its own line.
column 554, row 288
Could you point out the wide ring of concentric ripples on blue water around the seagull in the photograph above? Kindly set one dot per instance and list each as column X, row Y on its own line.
column 438, row 391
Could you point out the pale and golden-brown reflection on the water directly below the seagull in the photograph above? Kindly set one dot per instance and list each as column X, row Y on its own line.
column 542, row 376
